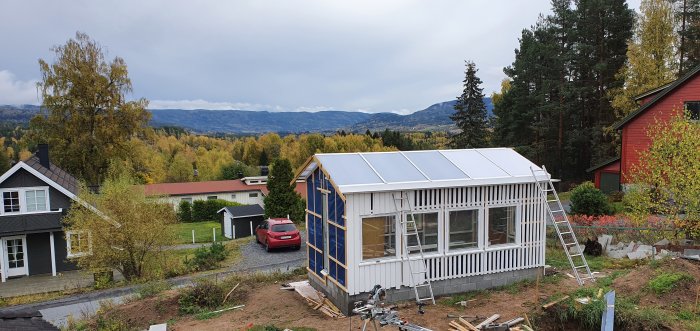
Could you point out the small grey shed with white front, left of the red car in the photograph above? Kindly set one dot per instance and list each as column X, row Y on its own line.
column 241, row 221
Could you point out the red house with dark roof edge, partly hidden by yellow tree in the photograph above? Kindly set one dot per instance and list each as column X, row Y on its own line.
column 659, row 104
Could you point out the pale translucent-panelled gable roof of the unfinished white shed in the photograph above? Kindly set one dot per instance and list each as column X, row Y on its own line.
column 389, row 171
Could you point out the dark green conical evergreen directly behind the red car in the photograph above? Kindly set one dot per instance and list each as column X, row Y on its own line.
column 283, row 200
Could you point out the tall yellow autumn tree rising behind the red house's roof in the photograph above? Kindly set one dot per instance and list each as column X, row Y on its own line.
column 651, row 58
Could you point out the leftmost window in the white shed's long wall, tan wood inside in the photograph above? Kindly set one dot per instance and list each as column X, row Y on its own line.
column 378, row 237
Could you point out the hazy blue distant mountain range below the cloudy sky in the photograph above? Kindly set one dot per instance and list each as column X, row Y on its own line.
column 435, row 117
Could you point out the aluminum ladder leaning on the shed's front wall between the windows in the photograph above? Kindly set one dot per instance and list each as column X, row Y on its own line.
column 409, row 230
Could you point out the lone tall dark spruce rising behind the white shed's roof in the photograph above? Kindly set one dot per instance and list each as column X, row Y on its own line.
column 470, row 115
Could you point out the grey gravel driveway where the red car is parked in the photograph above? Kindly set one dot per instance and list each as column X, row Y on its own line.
column 255, row 258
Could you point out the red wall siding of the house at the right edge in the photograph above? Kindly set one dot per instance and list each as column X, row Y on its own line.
column 634, row 133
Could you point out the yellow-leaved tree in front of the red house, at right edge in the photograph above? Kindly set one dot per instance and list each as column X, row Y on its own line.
column 666, row 181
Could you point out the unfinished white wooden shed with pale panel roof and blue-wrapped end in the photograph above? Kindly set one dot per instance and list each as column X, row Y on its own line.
column 480, row 216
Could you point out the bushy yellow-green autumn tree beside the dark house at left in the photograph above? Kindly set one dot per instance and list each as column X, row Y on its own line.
column 126, row 230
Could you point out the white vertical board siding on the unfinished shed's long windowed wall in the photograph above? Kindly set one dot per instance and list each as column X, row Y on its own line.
column 528, row 252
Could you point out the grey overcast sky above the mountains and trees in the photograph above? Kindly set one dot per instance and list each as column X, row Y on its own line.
column 372, row 56
